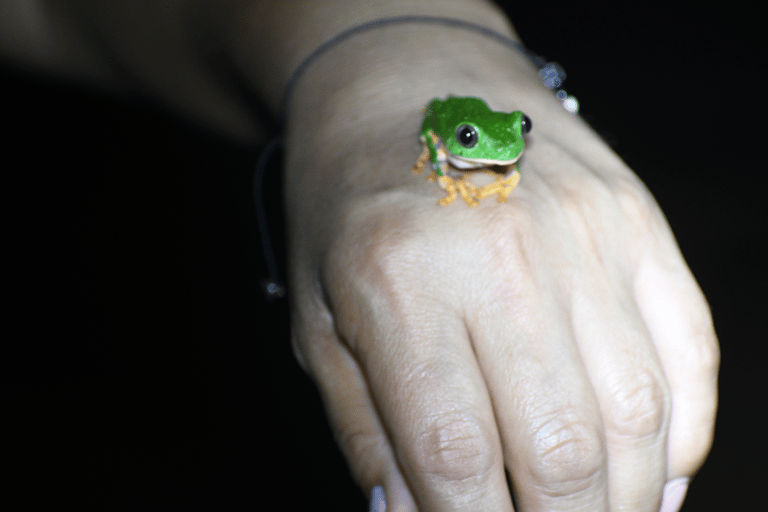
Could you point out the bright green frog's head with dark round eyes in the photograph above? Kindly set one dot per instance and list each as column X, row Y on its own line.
column 484, row 137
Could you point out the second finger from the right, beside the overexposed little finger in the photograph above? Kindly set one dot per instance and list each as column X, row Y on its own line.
column 634, row 398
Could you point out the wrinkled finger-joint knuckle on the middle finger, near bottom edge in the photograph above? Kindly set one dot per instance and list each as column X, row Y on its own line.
column 568, row 454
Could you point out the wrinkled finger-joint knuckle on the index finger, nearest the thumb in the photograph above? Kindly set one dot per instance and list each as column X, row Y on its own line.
column 456, row 447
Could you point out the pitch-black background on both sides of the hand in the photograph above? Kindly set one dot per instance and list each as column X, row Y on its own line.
column 151, row 373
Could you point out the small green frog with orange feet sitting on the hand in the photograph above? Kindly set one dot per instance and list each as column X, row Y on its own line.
column 465, row 133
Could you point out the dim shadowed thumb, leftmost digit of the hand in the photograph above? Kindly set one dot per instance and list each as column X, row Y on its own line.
column 349, row 408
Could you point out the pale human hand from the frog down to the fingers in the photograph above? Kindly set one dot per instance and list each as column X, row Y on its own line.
column 558, row 335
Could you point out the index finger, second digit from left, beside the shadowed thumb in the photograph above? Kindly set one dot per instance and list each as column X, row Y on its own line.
column 440, row 418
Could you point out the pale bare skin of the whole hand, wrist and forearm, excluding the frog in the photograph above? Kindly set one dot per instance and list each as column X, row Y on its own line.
column 559, row 335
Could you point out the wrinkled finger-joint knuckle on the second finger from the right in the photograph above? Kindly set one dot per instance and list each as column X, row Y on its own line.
column 638, row 405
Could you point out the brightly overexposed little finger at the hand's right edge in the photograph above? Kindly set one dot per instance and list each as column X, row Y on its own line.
column 679, row 320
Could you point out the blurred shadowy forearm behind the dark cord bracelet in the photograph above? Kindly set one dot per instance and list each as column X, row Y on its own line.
column 194, row 55
